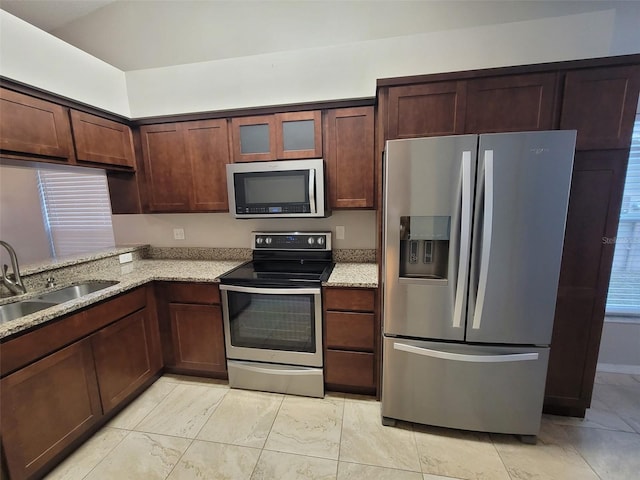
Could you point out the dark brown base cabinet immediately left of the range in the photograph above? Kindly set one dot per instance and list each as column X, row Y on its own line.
column 190, row 320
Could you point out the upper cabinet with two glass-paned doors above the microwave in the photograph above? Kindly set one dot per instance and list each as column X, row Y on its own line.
column 277, row 137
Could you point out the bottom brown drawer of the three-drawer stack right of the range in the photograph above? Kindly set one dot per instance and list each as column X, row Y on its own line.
column 355, row 369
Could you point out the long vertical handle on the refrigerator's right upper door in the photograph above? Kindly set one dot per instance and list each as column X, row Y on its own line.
column 487, row 226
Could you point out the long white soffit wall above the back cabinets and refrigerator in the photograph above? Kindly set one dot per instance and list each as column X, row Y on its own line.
column 351, row 70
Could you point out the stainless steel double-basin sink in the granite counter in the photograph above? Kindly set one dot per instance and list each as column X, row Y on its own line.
column 14, row 310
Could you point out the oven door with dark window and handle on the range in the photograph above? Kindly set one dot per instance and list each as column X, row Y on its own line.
column 273, row 325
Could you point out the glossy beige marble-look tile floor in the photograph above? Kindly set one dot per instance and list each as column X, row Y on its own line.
column 189, row 428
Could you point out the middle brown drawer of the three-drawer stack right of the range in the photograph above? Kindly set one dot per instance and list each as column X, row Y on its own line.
column 349, row 331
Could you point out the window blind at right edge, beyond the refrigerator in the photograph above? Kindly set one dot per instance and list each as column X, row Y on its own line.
column 624, row 287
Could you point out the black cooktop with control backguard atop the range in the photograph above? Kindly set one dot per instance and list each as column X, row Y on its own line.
column 285, row 259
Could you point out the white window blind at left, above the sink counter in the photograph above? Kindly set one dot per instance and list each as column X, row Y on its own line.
column 76, row 210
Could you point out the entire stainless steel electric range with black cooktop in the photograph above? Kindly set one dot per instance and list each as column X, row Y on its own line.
column 272, row 310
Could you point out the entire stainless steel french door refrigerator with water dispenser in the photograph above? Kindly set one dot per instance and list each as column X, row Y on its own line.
column 473, row 234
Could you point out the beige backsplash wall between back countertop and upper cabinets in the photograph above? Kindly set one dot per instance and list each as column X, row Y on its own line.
column 222, row 230
